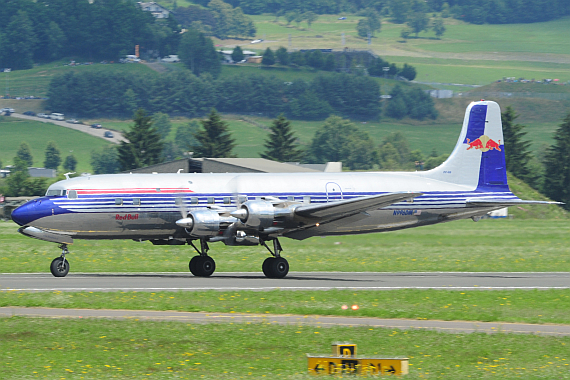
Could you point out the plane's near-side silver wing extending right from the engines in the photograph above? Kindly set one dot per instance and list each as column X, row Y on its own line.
column 341, row 209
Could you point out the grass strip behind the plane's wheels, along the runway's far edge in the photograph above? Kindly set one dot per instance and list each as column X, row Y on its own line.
column 489, row 245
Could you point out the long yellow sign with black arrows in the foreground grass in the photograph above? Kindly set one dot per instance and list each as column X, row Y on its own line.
column 323, row 365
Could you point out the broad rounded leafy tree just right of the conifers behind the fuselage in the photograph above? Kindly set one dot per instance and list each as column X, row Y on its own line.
column 340, row 140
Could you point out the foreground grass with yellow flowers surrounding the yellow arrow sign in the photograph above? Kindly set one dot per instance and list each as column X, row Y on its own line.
column 95, row 349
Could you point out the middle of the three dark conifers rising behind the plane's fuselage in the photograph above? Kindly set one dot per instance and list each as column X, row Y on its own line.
column 214, row 139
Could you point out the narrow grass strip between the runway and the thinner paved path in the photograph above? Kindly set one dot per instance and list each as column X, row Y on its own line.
column 522, row 306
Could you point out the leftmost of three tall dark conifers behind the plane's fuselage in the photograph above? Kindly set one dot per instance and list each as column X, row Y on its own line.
column 143, row 146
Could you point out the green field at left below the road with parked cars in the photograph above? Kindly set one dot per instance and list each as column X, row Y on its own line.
column 38, row 134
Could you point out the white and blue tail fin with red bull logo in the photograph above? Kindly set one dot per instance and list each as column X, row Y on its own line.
column 478, row 160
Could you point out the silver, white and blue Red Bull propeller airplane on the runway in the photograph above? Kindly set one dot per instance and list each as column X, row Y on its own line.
column 245, row 209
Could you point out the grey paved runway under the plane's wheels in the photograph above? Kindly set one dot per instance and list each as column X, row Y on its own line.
column 105, row 282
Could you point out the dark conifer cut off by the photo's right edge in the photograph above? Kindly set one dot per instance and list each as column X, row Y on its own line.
column 557, row 176
